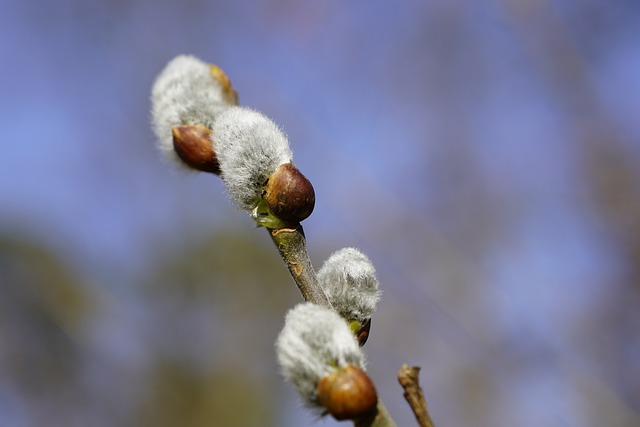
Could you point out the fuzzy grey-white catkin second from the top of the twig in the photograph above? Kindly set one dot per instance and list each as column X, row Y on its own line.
column 249, row 148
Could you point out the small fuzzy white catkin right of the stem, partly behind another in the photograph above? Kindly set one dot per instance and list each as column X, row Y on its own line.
column 349, row 280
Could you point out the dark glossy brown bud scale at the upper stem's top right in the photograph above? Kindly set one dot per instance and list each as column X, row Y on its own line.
column 289, row 194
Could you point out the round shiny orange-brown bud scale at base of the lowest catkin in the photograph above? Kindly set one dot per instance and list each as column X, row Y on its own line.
column 347, row 394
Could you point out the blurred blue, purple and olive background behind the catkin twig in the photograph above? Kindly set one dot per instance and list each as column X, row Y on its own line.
column 484, row 154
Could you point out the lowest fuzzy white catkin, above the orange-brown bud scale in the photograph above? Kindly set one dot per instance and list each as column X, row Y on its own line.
column 314, row 342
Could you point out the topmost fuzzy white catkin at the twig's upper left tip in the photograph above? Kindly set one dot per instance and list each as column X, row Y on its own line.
column 184, row 93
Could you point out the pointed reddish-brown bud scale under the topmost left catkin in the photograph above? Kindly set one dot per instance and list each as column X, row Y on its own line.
column 194, row 146
